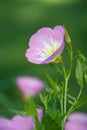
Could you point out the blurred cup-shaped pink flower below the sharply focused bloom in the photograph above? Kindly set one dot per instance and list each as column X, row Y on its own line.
column 29, row 86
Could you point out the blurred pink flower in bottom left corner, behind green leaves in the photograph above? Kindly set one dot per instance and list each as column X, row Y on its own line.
column 20, row 123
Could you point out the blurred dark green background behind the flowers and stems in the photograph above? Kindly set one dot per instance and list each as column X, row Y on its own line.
column 19, row 19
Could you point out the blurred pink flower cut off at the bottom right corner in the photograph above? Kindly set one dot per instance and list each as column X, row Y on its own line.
column 76, row 121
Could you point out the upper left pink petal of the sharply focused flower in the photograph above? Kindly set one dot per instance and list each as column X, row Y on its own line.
column 41, row 38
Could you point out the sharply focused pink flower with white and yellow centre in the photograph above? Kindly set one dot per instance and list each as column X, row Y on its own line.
column 45, row 45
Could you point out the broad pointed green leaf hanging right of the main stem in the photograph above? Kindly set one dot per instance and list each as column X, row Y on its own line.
column 80, row 73
